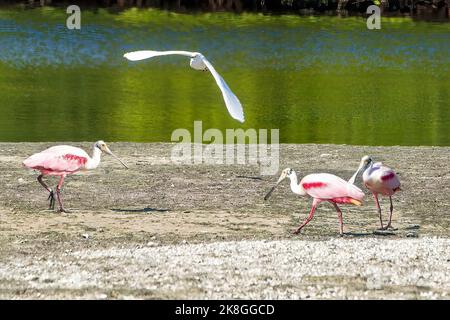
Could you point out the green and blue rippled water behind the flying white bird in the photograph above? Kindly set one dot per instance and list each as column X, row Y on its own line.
column 317, row 79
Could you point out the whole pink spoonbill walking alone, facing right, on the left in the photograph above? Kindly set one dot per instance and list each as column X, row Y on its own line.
column 64, row 160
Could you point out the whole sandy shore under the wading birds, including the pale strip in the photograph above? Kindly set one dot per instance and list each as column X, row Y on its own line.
column 157, row 214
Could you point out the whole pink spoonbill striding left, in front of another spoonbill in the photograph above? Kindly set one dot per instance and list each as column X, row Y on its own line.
column 322, row 187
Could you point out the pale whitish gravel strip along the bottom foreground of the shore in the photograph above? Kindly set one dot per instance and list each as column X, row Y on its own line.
column 286, row 269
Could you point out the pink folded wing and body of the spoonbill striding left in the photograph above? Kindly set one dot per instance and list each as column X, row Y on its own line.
column 328, row 186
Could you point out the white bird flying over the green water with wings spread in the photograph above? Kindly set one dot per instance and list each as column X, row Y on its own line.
column 198, row 62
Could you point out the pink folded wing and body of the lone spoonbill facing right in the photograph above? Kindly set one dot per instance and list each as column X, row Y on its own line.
column 58, row 159
